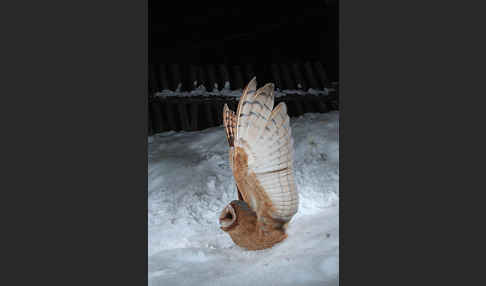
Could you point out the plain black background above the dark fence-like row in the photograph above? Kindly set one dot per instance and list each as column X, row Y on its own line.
column 236, row 35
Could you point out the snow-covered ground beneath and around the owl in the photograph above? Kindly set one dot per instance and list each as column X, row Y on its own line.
column 190, row 182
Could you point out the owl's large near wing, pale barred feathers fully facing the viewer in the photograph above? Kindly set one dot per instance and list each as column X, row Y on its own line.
column 263, row 154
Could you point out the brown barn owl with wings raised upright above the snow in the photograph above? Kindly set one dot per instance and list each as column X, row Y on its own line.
column 261, row 156
